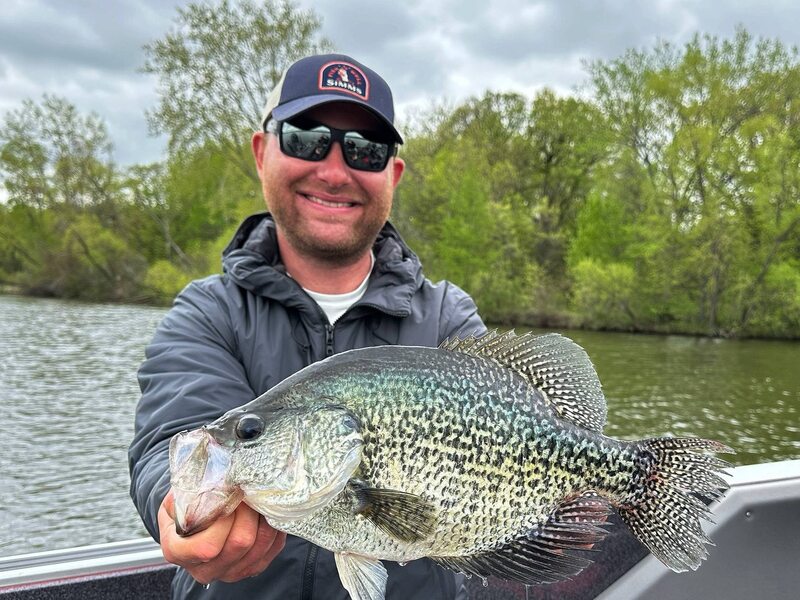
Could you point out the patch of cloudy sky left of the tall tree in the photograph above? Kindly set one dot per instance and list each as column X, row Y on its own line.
column 88, row 52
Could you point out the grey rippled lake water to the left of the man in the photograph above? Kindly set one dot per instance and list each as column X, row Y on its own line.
column 68, row 391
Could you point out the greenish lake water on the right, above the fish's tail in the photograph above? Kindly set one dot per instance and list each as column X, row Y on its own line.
column 744, row 393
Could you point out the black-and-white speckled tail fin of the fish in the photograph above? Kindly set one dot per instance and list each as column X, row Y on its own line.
column 670, row 495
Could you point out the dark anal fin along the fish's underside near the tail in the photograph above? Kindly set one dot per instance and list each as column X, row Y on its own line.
column 541, row 557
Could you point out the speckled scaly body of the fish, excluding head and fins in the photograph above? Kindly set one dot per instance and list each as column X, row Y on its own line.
column 494, row 467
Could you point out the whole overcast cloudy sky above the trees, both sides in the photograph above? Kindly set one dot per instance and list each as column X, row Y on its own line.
column 89, row 51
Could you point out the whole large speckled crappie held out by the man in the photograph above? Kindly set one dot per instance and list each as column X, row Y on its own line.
column 485, row 455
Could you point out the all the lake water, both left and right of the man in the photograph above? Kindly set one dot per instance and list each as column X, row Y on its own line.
column 68, row 392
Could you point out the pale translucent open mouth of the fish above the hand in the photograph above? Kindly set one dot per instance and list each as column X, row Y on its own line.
column 199, row 468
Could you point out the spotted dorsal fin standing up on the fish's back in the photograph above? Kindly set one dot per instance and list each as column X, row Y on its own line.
column 554, row 364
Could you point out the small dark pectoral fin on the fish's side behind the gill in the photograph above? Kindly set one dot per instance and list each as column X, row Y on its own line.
column 405, row 517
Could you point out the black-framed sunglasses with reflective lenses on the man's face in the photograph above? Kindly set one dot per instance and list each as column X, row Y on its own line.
column 309, row 140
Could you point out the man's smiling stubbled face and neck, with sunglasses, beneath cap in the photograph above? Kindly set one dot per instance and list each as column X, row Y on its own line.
column 327, row 212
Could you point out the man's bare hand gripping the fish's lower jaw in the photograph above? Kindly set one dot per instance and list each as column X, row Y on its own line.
column 235, row 547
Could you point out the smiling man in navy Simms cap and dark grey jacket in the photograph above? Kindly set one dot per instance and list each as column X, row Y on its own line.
column 323, row 273
